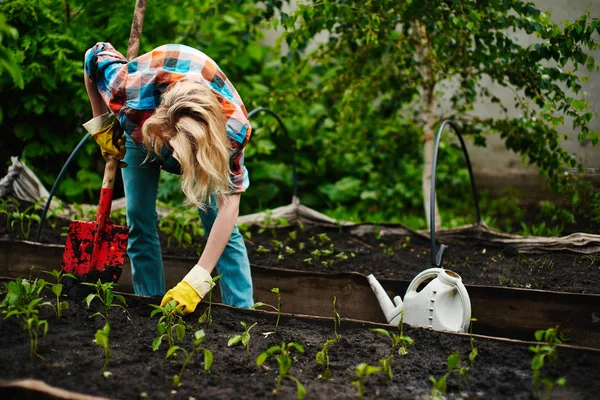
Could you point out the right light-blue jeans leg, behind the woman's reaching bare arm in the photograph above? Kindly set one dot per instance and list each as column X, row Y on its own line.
column 233, row 265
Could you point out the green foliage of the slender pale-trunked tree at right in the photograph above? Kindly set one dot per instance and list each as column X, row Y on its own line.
column 389, row 52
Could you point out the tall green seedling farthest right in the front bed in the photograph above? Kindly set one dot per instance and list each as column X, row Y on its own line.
column 543, row 352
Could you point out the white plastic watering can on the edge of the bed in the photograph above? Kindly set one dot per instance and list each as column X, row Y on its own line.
column 443, row 304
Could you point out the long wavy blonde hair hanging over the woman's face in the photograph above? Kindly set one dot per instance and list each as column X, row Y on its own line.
column 190, row 119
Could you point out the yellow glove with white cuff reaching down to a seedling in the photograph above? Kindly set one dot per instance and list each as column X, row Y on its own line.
column 189, row 292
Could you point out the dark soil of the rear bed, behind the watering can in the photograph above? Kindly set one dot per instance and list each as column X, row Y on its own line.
column 392, row 257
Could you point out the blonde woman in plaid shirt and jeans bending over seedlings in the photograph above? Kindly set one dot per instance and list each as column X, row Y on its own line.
column 181, row 114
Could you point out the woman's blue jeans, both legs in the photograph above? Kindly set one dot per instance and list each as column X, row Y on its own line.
column 141, row 184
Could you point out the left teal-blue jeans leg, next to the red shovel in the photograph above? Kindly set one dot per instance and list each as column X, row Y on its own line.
column 141, row 184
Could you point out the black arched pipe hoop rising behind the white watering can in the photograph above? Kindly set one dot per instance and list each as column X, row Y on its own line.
column 437, row 256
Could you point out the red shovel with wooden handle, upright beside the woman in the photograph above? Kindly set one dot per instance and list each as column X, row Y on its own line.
column 96, row 250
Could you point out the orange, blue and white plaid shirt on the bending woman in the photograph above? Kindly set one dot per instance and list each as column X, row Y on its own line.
column 132, row 91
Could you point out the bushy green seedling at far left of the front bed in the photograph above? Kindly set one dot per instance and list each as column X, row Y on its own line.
column 23, row 301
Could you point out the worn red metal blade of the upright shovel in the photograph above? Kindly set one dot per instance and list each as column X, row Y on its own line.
column 91, row 254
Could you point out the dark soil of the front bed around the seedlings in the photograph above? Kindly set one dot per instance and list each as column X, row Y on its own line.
column 69, row 359
